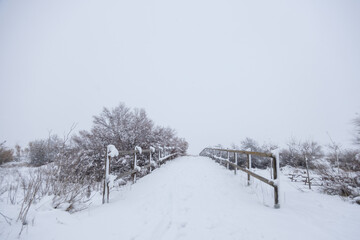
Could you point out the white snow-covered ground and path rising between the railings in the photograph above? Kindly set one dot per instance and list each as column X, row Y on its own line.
column 195, row 198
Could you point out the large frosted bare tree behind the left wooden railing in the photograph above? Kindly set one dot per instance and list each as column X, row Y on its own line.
column 124, row 128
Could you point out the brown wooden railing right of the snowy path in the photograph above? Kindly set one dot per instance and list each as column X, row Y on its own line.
column 216, row 153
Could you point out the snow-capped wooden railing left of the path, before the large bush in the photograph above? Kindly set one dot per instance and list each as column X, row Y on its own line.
column 164, row 154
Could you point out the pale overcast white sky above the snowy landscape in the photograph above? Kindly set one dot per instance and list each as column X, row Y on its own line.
column 215, row 70
